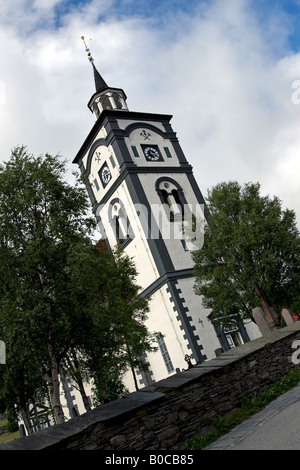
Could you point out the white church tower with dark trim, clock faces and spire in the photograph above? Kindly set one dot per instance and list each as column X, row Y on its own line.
column 142, row 191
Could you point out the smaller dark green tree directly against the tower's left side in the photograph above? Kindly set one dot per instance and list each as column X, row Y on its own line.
column 104, row 288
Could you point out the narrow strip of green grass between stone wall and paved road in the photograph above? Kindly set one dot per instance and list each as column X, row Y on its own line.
column 250, row 405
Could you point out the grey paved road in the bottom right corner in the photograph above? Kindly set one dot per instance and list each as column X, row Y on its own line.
column 277, row 427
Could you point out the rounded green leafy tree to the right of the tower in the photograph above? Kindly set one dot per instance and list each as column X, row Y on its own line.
column 250, row 256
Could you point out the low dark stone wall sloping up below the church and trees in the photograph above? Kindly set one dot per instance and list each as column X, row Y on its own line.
column 167, row 413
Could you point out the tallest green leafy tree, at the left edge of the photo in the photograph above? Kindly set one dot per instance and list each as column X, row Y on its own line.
column 41, row 217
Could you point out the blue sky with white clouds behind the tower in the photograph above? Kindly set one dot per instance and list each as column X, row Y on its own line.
column 227, row 70
